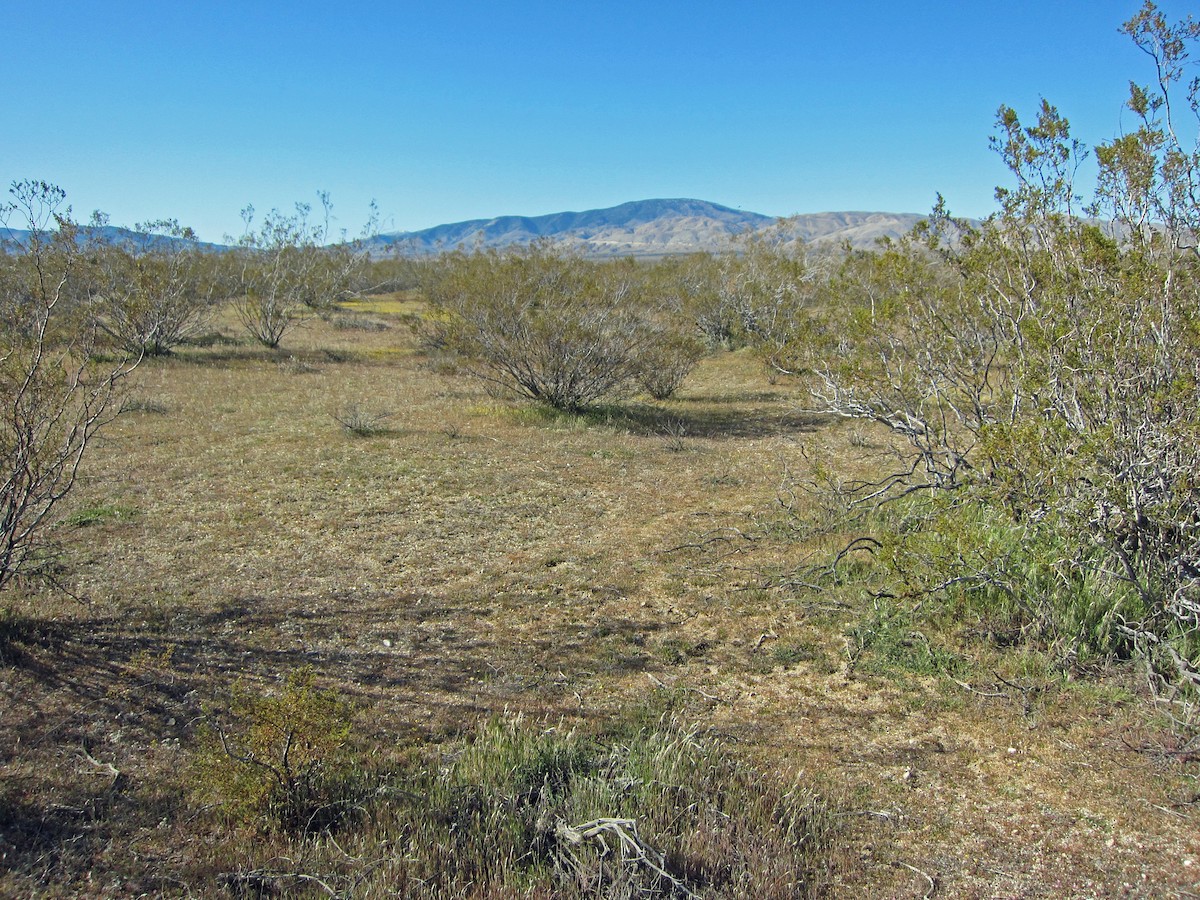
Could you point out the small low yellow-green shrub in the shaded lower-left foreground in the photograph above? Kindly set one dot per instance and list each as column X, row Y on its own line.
column 280, row 760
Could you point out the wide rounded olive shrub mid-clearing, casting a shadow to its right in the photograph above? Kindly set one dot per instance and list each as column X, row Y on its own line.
column 548, row 326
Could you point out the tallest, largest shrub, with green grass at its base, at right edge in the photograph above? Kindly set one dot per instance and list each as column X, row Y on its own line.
column 1041, row 375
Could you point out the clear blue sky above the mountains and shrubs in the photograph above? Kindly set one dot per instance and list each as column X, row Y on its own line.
column 452, row 111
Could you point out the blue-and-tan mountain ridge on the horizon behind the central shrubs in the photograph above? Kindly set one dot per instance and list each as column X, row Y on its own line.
column 645, row 229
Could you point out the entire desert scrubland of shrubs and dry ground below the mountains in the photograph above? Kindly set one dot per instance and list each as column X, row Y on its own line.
column 775, row 574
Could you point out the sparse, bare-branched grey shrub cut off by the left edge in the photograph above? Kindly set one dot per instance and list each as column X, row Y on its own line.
column 56, row 391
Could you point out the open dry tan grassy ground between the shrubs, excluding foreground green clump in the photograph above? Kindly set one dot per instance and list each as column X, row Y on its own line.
column 478, row 560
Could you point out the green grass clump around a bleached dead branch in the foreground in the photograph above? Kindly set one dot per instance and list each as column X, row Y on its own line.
column 657, row 812
